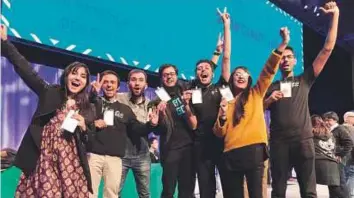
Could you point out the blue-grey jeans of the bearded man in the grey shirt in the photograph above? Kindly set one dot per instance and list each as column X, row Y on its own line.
column 140, row 165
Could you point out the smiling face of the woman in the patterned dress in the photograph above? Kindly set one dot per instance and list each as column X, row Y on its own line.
column 76, row 80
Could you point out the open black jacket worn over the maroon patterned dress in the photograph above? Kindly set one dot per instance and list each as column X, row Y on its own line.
column 50, row 98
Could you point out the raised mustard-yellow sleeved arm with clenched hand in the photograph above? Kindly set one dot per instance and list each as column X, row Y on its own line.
column 271, row 67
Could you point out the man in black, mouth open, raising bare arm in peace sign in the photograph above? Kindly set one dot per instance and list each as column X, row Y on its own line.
column 207, row 147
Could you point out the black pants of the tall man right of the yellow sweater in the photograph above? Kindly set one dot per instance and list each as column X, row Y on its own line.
column 301, row 156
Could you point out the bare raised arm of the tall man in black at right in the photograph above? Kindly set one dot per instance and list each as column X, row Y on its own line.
column 332, row 10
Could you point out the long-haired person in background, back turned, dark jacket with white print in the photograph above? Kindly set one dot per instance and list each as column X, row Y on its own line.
column 326, row 164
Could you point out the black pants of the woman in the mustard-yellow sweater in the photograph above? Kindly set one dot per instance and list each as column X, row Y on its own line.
column 232, row 182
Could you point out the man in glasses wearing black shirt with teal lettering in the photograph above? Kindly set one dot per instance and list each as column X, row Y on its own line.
column 176, row 137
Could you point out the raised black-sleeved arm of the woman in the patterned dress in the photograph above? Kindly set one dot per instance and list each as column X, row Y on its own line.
column 22, row 67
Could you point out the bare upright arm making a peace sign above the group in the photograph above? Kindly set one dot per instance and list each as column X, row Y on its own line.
column 226, row 60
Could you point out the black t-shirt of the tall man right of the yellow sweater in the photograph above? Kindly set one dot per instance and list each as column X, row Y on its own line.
column 290, row 117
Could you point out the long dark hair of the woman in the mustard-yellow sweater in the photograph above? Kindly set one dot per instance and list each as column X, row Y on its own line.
column 239, row 111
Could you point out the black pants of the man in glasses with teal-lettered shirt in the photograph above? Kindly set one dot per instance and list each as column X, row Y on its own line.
column 177, row 166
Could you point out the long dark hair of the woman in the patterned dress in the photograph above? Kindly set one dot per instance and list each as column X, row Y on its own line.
column 80, row 98
